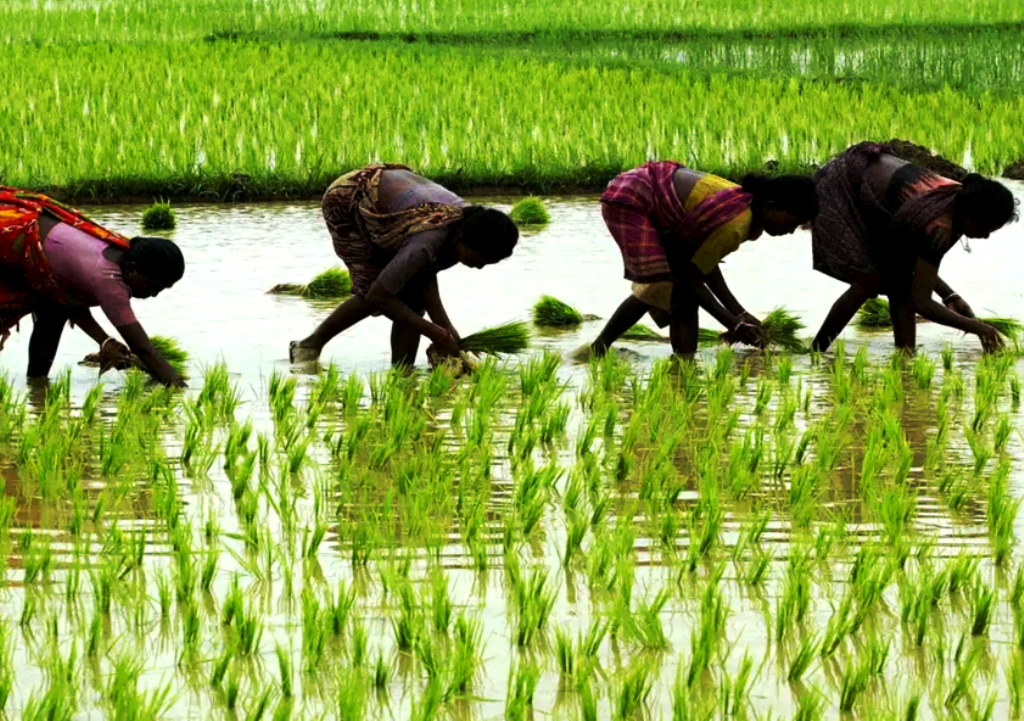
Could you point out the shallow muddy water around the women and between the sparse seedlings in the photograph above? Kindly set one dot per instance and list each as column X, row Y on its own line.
column 221, row 312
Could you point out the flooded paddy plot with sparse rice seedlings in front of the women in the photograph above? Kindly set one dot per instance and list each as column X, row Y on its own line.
column 762, row 537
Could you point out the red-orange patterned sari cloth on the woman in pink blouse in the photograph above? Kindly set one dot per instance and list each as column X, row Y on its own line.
column 26, row 277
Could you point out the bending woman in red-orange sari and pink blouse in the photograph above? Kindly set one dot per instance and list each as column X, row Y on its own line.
column 56, row 264
